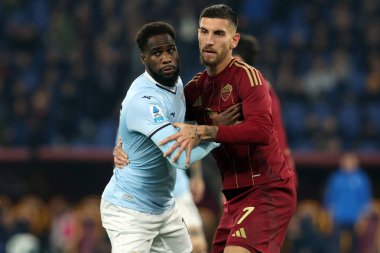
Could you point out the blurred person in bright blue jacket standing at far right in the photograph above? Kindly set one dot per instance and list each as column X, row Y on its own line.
column 347, row 197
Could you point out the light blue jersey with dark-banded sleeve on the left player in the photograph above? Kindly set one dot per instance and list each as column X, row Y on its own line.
column 148, row 110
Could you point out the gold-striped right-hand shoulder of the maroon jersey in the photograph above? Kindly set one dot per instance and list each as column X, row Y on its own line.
column 245, row 70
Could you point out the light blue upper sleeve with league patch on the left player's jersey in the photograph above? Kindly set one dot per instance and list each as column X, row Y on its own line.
column 146, row 116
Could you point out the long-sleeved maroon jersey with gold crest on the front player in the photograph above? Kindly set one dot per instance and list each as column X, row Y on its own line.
column 249, row 153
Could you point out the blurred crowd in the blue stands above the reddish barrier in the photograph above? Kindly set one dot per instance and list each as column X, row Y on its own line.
column 65, row 66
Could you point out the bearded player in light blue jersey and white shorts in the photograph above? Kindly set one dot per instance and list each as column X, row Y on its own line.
column 137, row 208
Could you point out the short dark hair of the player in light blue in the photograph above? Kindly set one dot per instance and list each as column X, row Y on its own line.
column 153, row 29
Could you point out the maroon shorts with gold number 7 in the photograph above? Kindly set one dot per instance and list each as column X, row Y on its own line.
column 258, row 218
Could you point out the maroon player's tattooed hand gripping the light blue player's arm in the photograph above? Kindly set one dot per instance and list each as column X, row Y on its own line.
column 186, row 139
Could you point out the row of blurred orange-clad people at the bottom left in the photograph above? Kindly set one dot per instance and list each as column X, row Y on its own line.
column 30, row 225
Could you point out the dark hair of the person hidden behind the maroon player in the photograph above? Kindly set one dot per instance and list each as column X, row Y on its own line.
column 248, row 48
